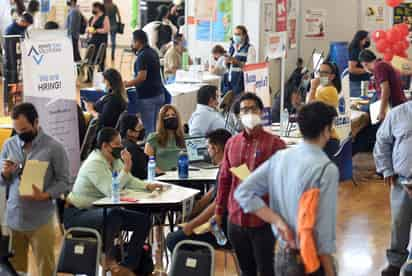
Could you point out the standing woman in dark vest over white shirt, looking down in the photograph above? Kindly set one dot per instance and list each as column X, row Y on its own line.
column 241, row 52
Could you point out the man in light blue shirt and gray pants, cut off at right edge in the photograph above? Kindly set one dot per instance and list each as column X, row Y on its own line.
column 393, row 158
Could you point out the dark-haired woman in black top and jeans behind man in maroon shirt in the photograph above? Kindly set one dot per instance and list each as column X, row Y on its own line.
column 357, row 73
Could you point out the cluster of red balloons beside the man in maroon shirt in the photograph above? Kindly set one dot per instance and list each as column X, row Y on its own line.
column 393, row 42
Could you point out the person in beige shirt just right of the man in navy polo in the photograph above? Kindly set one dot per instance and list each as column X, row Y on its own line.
column 173, row 56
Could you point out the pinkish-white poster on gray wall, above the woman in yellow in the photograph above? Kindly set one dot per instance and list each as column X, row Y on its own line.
column 315, row 24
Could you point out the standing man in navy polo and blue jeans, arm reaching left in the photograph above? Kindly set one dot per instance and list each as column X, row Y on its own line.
column 148, row 81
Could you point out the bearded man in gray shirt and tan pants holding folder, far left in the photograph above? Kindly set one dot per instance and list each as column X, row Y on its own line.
column 30, row 217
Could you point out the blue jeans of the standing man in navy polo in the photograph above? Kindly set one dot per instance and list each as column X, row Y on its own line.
column 149, row 109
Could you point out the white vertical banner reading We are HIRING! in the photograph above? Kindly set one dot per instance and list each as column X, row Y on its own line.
column 50, row 84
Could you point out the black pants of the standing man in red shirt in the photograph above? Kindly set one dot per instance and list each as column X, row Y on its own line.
column 254, row 249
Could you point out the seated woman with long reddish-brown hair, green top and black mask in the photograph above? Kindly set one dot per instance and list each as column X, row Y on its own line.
column 167, row 142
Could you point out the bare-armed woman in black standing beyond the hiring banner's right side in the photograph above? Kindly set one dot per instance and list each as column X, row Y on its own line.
column 99, row 28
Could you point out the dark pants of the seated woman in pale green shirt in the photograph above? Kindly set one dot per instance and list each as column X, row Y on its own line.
column 117, row 220
